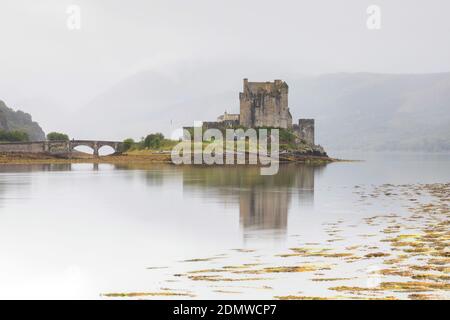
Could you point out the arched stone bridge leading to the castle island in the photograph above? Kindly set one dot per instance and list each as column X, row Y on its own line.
column 59, row 146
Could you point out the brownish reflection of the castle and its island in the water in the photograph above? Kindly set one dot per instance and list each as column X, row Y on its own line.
column 264, row 201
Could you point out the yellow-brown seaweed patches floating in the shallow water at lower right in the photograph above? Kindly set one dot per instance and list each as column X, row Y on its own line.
column 409, row 249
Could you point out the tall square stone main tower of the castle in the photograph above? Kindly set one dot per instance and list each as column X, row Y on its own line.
column 265, row 104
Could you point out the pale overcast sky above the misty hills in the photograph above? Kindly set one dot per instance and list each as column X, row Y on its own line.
column 44, row 65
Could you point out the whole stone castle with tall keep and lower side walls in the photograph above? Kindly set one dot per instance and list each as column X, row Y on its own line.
column 265, row 104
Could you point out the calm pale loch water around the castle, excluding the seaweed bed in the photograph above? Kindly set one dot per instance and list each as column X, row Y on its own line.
column 83, row 230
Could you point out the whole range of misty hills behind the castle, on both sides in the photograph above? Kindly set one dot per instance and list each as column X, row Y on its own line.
column 361, row 111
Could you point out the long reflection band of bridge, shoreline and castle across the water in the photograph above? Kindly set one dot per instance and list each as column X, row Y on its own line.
column 263, row 202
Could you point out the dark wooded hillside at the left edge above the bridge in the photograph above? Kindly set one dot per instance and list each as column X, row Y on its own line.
column 21, row 121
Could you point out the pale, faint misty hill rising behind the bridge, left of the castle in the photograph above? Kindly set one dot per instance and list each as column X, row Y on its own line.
column 153, row 102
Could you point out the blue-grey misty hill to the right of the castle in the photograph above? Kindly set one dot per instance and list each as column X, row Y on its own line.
column 377, row 112
